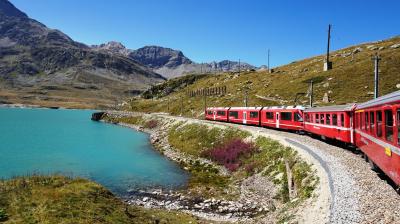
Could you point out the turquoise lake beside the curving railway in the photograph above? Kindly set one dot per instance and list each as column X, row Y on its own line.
column 67, row 142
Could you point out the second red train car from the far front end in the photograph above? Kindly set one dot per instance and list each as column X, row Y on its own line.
column 245, row 115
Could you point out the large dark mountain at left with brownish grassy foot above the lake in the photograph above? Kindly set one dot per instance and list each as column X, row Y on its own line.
column 39, row 63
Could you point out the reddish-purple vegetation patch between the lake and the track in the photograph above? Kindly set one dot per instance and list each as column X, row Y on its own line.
column 230, row 153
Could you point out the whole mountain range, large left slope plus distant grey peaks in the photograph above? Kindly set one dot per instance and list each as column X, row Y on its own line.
column 40, row 65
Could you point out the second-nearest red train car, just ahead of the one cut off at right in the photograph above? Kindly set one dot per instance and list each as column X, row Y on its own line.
column 334, row 122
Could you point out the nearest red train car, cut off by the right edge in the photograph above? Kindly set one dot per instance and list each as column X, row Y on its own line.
column 377, row 133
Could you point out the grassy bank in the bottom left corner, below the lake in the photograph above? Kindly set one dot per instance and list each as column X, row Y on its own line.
column 58, row 199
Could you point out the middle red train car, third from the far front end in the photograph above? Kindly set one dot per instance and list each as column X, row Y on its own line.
column 283, row 117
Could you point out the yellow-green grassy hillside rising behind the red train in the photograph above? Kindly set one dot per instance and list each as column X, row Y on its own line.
column 350, row 80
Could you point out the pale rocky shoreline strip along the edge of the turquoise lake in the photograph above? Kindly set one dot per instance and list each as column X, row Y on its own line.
column 175, row 199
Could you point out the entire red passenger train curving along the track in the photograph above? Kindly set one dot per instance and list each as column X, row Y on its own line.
column 373, row 126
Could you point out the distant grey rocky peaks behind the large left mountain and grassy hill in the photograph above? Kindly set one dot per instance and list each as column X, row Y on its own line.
column 168, row 62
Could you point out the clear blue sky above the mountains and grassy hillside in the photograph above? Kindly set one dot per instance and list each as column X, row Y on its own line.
column 209, row 30
